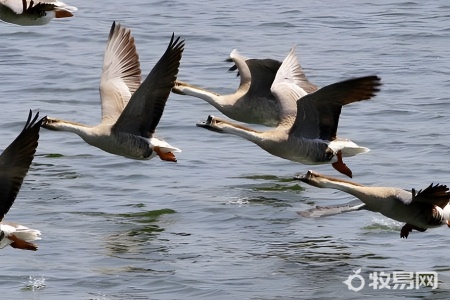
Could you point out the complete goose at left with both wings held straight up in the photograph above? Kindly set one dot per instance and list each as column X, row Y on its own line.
column 130, row 110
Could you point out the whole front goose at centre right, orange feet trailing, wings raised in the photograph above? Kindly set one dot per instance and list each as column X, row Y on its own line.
column 309, row 135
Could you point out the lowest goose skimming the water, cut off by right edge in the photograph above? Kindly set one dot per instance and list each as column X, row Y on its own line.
column 420, row 210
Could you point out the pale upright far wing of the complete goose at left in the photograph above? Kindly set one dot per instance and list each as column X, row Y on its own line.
column 121, row 74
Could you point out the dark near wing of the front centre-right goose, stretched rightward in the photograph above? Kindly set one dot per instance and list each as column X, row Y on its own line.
column 318, row 113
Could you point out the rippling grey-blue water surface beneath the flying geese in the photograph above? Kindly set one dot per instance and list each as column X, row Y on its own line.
column 222, row 223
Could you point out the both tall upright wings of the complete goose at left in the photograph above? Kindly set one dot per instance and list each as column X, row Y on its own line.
column 131, row 106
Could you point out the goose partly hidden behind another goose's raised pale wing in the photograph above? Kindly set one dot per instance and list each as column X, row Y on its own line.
column 253, row 101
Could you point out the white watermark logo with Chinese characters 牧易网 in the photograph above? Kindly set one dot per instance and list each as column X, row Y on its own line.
column 392, row 281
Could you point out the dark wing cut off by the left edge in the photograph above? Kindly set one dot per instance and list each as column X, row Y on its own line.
column 15, row 162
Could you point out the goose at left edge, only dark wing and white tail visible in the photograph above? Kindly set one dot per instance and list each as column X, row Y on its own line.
column 15, row 162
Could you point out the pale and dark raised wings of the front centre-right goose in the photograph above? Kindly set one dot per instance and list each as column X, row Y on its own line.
column 317, row 112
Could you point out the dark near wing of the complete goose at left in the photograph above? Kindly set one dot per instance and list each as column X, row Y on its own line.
column 146, row 106
